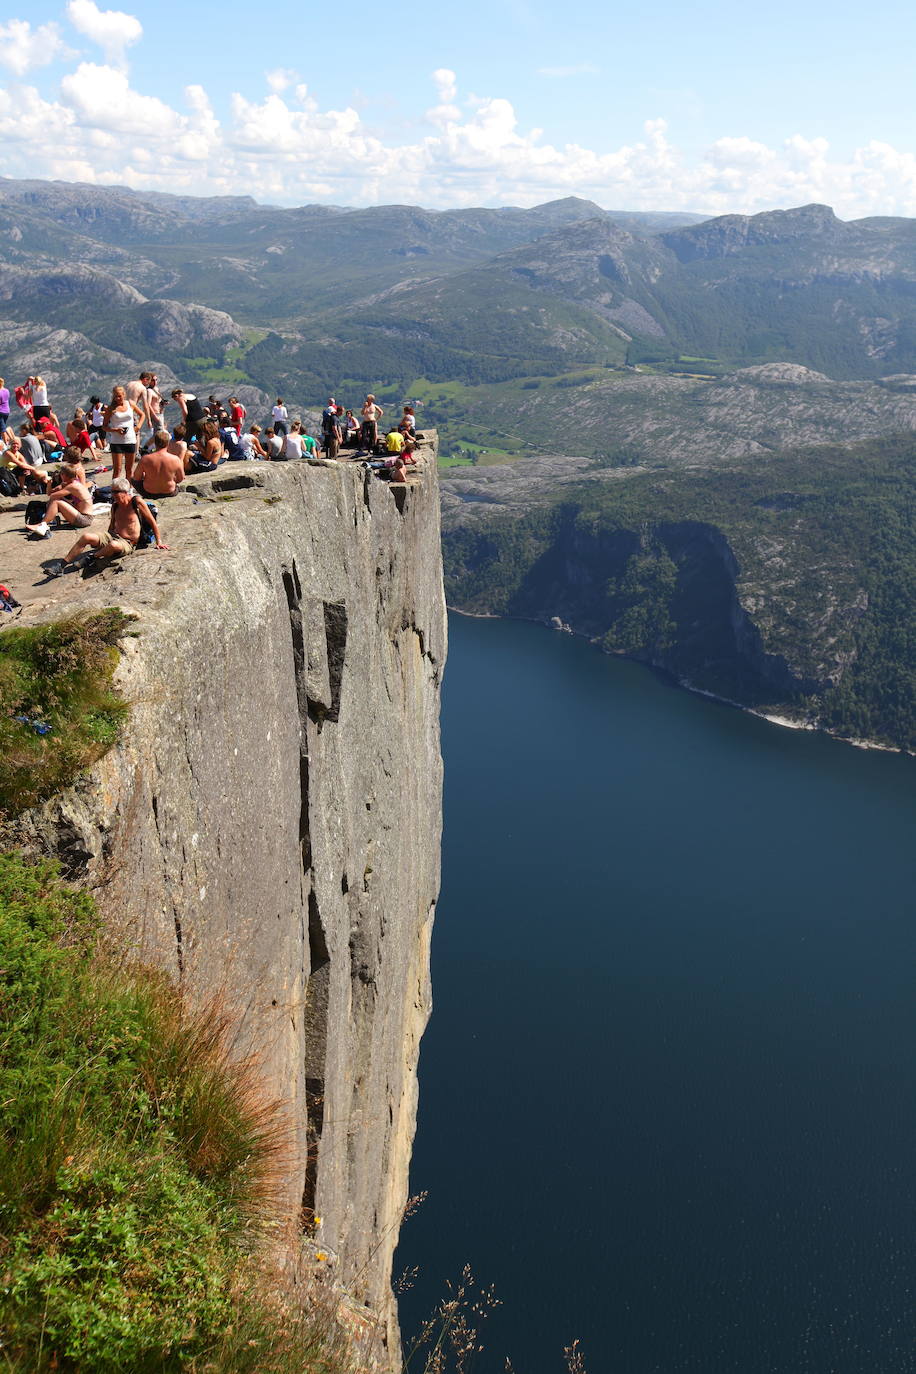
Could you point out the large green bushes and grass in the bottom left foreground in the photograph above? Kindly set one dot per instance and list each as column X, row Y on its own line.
column 139, row 1166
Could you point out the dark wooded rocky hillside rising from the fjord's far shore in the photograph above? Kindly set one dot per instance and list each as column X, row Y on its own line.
column 783, row 583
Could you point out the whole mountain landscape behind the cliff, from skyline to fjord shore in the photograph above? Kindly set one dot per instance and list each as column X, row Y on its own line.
column 693, row 390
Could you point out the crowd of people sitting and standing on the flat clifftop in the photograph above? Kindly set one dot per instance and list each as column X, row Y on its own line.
column 149, row 455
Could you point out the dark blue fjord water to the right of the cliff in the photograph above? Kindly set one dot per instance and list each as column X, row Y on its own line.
column 668, row 1096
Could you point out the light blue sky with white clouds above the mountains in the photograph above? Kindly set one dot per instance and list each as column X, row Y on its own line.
column 499, row 102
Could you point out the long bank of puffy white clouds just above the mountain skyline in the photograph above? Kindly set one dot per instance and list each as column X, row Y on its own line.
column 97, row 127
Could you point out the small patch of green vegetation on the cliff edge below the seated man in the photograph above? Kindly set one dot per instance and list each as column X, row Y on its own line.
column 58, row 708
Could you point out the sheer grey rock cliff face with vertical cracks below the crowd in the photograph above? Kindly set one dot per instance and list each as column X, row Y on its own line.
column 268, row 832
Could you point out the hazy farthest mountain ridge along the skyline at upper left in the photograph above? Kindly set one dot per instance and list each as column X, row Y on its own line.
column 266, row 263
